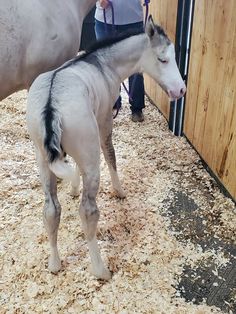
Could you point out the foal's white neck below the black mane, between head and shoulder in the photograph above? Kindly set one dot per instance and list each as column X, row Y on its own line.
column 124, row 57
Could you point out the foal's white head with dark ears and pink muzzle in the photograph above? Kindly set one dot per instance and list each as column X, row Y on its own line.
column 159, row 61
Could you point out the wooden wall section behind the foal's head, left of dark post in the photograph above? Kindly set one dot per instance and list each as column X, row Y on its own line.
column 164, row 13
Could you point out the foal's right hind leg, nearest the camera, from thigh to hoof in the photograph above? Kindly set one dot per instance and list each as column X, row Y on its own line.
column 82, row 143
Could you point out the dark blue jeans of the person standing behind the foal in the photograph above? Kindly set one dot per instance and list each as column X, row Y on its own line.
column 136, row 83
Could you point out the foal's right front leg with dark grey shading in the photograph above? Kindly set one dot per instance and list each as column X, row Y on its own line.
column 110, row 157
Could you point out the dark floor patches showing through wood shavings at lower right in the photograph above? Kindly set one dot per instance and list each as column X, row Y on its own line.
column 206, row 281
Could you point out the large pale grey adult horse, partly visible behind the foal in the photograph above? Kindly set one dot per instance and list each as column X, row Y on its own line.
column 37, row 36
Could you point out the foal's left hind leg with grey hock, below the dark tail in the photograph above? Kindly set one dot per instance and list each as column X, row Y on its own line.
column 52, row 211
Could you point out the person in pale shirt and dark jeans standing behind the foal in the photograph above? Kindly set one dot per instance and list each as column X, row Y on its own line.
column 128, row 16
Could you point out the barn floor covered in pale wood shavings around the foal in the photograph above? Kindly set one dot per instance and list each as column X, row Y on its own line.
column 170, row 243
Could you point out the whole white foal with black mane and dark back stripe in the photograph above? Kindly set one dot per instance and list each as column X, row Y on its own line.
column 70, row 111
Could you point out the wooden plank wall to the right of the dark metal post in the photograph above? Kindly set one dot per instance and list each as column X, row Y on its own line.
column 210, row 117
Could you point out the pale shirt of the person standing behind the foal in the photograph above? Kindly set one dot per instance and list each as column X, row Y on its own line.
column 125, row 12
